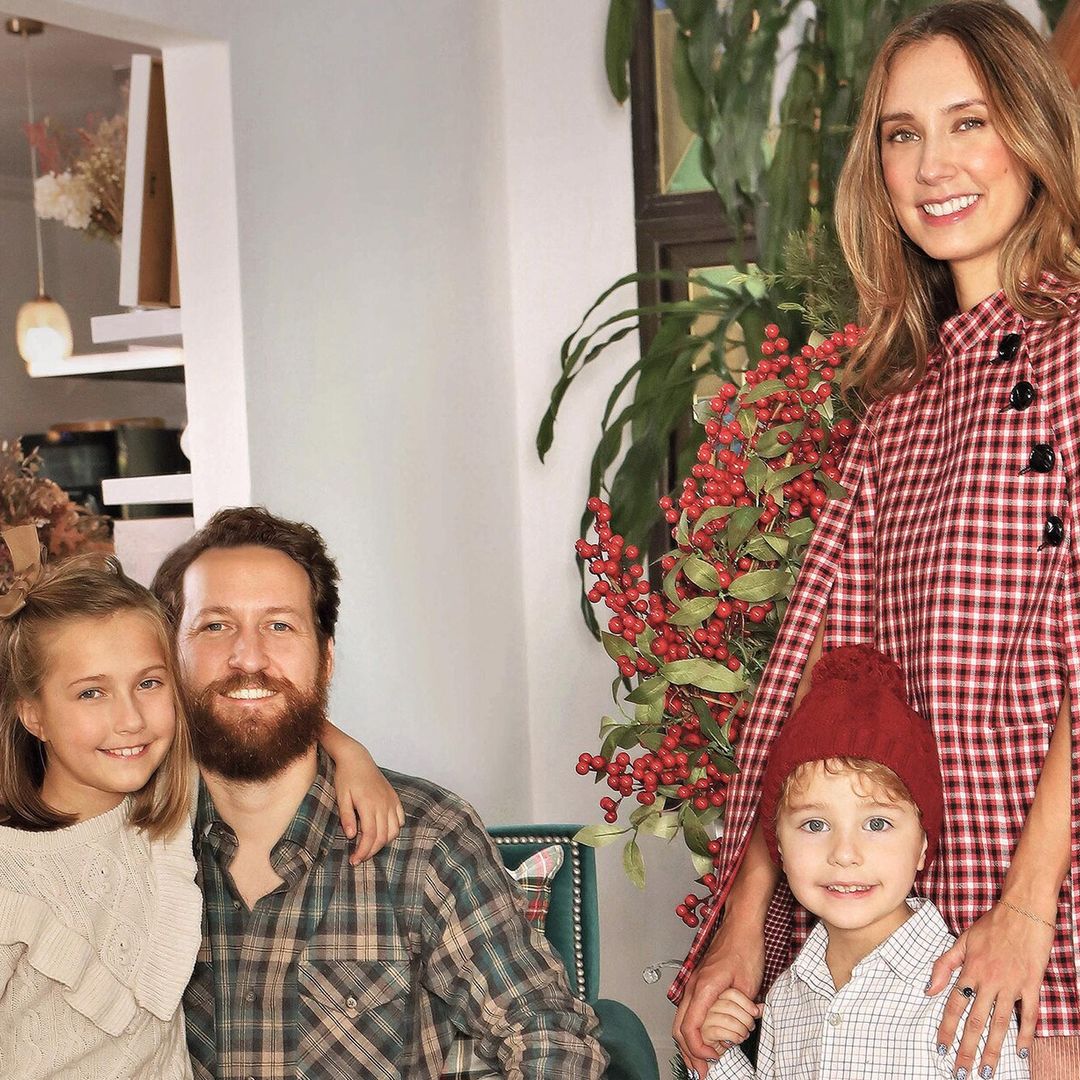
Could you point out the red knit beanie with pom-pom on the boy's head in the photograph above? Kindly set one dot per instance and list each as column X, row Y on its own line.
column 857, row 707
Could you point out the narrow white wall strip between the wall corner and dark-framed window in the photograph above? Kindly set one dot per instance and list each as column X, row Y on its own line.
column 572, row 235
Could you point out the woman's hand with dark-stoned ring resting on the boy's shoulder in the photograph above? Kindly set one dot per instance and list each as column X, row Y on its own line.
column 1003, row 958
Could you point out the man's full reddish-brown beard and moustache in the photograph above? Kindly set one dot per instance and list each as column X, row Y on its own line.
column 246, row 745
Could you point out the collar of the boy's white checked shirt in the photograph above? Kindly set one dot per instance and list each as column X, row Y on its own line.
column 909, row 952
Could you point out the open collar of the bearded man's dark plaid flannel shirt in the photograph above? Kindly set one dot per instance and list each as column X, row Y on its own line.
column 307, row 839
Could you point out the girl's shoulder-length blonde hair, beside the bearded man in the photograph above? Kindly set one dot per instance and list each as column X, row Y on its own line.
column 86, row 587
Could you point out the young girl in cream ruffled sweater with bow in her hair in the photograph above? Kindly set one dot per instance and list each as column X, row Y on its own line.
column 100, row 914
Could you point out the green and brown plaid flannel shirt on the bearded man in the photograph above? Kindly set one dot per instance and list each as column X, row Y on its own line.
column 372, row 970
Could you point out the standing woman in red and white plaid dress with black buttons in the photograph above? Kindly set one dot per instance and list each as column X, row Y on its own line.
column 954, row 552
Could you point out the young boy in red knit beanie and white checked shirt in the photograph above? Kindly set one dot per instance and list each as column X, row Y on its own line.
column 852, row 809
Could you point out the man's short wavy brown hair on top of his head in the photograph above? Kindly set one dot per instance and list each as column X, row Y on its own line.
column 256, row 528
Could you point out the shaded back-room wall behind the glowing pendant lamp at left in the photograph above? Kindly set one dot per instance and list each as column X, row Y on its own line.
column 83, row 275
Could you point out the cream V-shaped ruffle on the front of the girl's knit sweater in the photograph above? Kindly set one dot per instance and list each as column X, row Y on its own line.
column 169, row 951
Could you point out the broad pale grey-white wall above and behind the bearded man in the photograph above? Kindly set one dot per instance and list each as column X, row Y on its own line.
column 380, row 379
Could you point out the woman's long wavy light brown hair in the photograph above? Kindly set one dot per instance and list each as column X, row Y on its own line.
column 904, row 294
